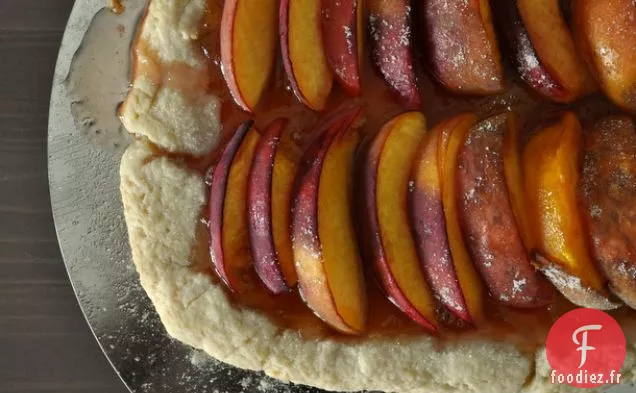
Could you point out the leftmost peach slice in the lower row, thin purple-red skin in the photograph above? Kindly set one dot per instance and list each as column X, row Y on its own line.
column 227, row 209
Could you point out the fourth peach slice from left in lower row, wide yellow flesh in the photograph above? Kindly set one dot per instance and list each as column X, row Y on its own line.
column 394, row 254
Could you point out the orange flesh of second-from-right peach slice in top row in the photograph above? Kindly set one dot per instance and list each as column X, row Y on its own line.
column 554, row 46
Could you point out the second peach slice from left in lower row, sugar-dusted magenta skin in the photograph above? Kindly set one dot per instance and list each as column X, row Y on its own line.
column 269, row 197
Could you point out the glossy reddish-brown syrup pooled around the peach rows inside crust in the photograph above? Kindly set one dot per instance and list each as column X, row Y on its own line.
column 526, row 328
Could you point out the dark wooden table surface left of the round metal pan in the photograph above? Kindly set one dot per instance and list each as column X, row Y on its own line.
column 45, row 344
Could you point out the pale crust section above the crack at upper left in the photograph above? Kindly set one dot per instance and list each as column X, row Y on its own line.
column 154, row 108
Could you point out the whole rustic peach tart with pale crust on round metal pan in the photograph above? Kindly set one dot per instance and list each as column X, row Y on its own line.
column 384, row 194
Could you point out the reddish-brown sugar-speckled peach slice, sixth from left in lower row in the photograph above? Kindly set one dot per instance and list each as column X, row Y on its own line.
column 488, row 222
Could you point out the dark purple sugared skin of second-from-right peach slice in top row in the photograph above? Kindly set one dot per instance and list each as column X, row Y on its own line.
column 522, row 54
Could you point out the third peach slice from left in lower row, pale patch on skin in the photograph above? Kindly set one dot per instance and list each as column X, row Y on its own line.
column 325, row 248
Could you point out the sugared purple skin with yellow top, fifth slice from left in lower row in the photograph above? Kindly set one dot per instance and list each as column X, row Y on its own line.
column 429, row 228
